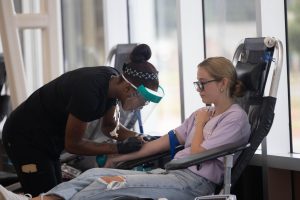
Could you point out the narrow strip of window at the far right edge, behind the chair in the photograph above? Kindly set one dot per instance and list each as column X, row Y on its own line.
column 293, row 19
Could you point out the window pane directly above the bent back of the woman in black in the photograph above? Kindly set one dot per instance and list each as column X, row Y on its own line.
column 83, row 33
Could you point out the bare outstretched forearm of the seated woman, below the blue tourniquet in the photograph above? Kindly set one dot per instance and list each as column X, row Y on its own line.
column 150, row 148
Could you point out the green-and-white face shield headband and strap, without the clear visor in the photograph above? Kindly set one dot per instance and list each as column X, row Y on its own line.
column 148, row 94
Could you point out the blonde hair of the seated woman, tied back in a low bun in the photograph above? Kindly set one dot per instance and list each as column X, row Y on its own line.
column 221, row 67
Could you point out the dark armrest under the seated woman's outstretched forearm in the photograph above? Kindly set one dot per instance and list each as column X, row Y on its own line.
column 133, row 163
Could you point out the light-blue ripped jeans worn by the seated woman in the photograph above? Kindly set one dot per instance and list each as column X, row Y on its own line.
column 176, row 184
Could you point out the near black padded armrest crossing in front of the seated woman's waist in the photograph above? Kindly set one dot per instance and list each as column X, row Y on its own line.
column 210, row 154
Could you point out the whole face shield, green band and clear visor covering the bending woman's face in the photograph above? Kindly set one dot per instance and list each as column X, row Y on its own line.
column 142, row 96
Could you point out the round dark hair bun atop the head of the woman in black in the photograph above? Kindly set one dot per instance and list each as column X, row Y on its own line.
column 140, row 53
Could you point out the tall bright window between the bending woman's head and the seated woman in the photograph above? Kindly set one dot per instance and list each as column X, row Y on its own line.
column 154, row 22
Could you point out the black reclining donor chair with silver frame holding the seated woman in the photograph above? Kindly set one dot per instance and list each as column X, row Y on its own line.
column 254, row 58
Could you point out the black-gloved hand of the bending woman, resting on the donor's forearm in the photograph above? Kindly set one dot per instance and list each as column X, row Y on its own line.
column 129, row 145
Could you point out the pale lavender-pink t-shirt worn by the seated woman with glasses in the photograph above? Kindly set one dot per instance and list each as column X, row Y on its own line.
column 228, row 127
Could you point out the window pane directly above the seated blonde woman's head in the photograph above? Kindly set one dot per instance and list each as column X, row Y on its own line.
column 227, row 22
